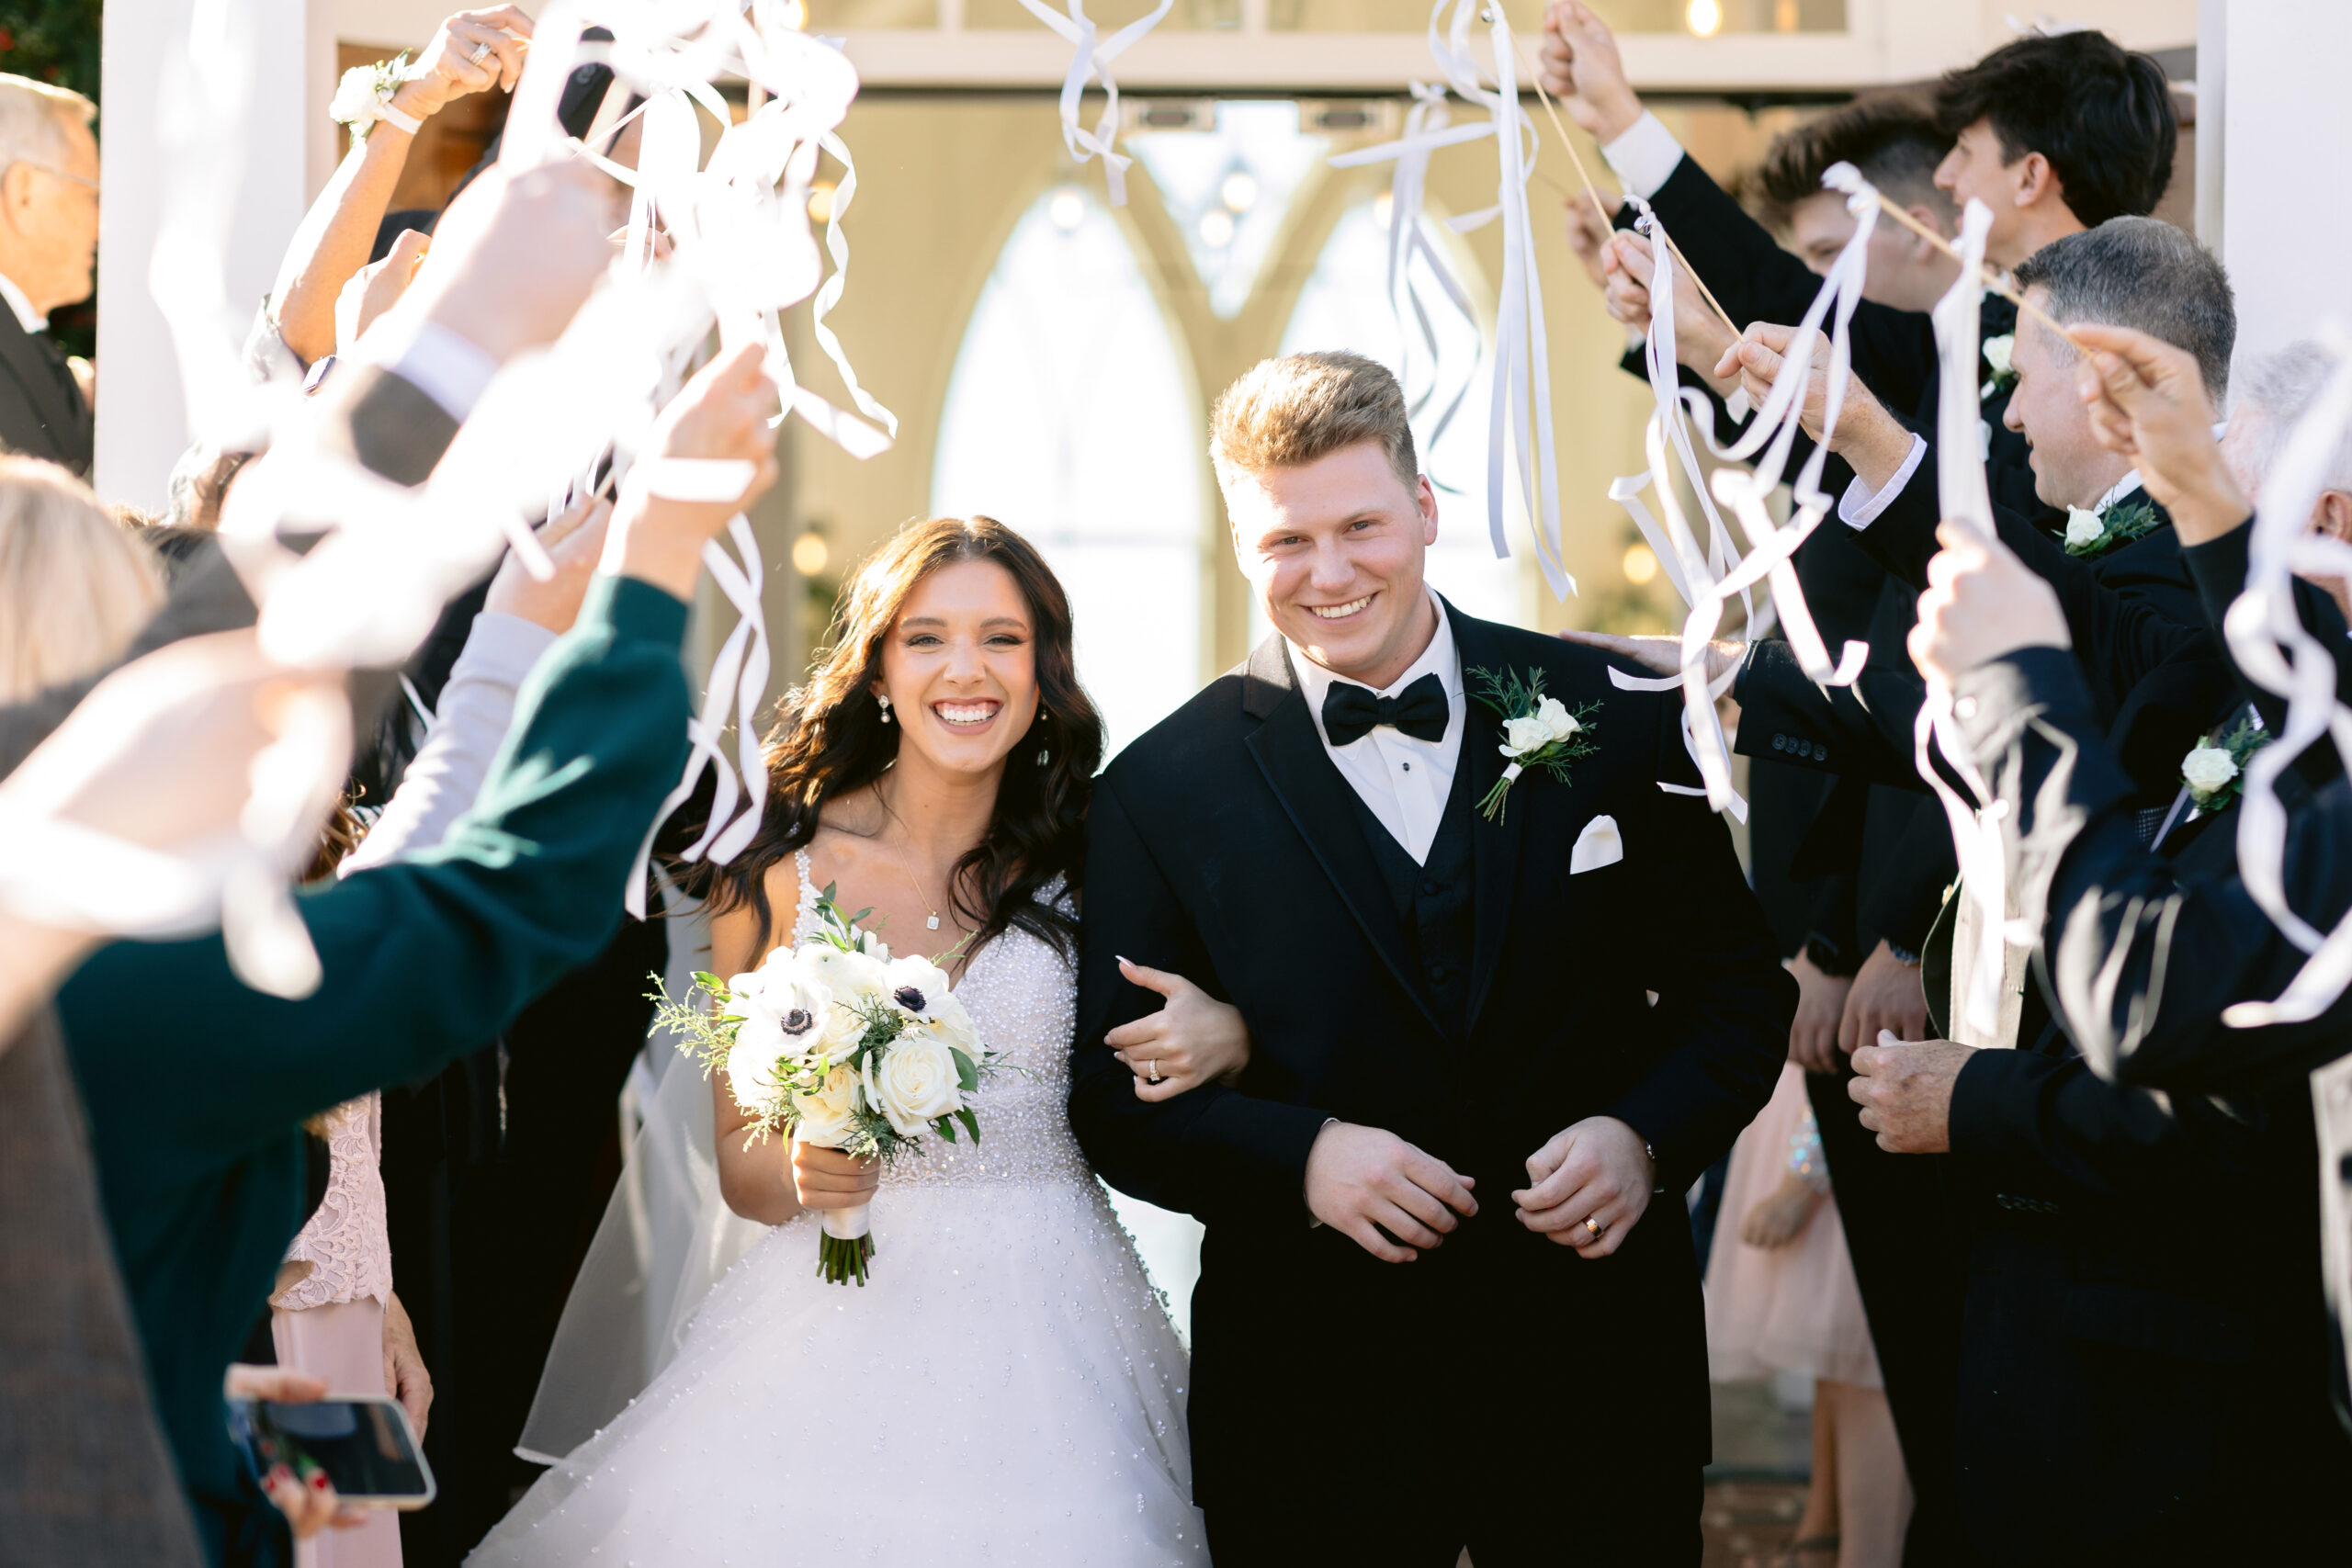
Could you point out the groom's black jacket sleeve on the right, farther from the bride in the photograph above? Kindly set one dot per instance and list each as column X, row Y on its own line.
column 1723, row 998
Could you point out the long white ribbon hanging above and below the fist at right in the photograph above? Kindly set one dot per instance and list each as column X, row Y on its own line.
column 1965, row 502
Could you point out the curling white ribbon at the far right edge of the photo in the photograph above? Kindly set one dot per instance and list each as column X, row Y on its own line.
column 2276, row 652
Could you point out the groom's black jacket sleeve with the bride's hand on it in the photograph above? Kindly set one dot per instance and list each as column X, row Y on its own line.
column 1212, row 1153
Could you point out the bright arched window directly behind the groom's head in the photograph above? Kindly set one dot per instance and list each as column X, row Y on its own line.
column 1344, row 304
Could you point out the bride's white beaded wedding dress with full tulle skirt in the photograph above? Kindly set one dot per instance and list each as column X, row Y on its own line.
column 1005, row 1391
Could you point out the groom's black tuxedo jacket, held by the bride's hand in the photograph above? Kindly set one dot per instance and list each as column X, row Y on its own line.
column 1227, row 847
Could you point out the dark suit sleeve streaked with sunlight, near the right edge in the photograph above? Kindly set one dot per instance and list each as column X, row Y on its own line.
column 2139, row 958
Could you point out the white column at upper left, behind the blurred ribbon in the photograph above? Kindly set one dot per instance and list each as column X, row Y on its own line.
column 142, row 420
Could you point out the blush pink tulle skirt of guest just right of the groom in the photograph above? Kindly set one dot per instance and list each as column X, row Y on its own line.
column 1791, row 1308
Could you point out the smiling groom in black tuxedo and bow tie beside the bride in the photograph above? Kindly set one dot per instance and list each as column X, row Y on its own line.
column 1436, row 1308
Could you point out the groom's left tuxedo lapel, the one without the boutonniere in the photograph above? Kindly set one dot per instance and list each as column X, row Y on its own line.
column 1290, row 751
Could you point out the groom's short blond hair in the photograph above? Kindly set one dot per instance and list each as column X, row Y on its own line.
column 1304, row 408
